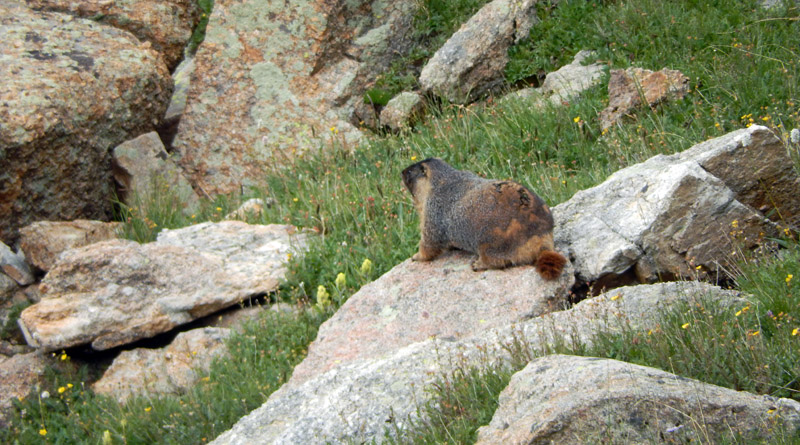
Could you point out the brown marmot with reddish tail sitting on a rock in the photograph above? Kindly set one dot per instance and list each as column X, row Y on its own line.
column 502, row 221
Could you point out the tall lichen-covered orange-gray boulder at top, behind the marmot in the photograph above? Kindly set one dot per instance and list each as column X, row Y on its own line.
column 276, row 78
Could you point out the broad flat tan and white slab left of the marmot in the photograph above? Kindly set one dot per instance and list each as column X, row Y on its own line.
column 116, row 292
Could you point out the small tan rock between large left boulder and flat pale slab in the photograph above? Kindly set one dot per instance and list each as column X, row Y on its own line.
column 44, row 241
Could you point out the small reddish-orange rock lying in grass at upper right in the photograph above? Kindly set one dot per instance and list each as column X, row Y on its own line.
column 631, row 88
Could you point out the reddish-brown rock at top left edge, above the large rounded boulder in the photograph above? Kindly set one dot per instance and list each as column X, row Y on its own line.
column 166, row 24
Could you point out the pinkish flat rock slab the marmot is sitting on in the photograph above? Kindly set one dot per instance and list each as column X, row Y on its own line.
column 443, row 298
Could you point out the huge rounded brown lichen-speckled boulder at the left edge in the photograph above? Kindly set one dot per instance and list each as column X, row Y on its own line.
column 72, row 89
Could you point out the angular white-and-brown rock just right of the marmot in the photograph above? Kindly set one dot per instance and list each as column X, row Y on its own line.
column 665, row 217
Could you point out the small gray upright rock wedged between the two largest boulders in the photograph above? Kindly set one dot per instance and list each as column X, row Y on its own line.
column 142, row 167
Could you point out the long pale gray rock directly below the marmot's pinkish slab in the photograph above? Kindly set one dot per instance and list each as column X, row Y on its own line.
column 358, row 400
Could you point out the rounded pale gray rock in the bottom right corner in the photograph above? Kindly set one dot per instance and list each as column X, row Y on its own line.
column 568, row 399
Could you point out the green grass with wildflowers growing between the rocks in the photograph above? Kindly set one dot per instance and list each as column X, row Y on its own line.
column 743, row 63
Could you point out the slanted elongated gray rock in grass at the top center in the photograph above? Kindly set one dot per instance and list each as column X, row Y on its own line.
column 472, row 61
